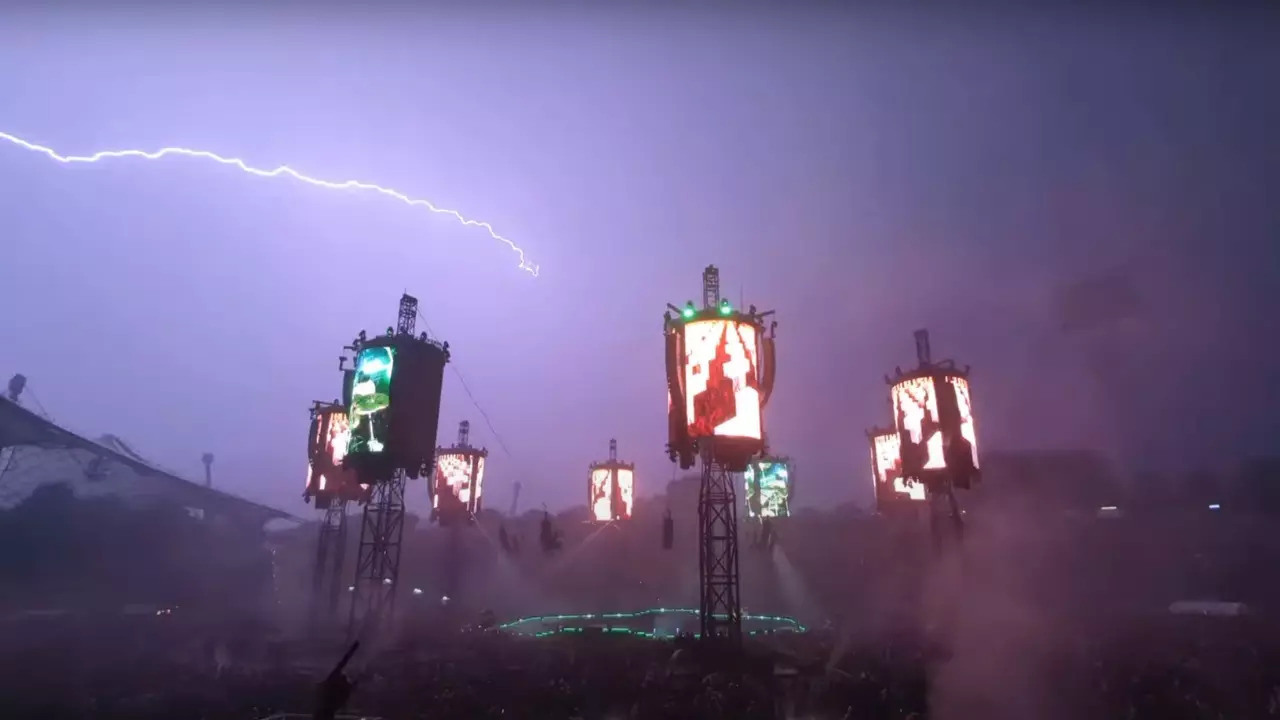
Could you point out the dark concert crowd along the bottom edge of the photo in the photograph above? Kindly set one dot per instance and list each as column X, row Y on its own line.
column 1201, row 675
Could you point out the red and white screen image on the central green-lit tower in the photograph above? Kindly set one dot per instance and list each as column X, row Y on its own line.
column 723, row 395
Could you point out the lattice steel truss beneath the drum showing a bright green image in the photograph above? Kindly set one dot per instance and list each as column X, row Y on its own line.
column 373, row 600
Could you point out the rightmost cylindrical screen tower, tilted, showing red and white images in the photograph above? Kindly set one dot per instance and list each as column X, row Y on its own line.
column 938, row 441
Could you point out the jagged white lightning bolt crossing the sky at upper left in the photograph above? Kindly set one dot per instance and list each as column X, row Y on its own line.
column 532, row 268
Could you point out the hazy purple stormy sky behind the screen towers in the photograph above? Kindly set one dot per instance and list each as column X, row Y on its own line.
column 865, row 176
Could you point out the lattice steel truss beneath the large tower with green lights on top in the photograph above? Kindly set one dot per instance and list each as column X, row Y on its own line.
column 721, row 610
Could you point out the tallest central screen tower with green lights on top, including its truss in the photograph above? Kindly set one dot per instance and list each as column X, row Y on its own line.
column 720, row 376
